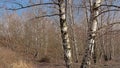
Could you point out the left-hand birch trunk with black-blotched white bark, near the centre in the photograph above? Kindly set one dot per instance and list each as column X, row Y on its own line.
column 64, row 33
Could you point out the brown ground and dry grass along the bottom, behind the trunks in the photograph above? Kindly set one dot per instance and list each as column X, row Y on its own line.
column 8, row 57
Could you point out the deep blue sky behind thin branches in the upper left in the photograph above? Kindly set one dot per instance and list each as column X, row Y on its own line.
column 10, row 4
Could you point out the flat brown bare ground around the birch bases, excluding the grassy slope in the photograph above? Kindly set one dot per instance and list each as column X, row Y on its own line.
column 115, row 63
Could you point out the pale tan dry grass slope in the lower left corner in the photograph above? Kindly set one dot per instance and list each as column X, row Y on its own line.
column 10, row 59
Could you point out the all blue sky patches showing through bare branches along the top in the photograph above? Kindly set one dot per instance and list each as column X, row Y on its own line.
column 9, row 4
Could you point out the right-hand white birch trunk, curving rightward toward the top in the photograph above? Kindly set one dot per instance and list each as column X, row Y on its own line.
column 92, row 34
